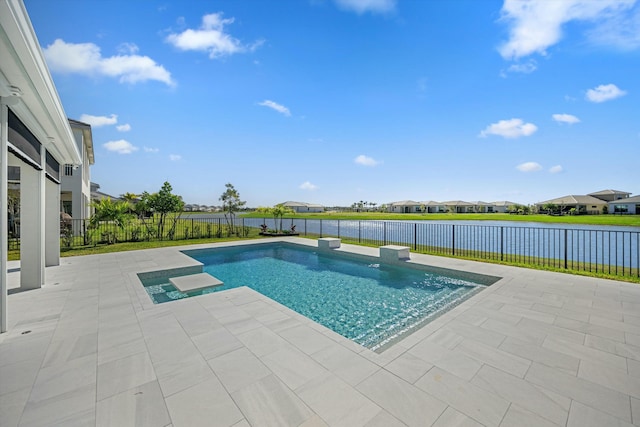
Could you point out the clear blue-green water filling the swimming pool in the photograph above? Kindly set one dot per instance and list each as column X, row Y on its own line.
column 369, row 303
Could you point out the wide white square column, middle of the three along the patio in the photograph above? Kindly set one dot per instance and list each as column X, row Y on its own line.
column 32, row 226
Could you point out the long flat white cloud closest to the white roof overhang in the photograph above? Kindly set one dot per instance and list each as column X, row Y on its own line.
column 85, row 58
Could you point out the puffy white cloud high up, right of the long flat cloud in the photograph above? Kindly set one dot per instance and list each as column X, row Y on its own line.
column 211, row 38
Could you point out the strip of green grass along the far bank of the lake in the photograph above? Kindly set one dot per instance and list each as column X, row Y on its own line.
column 622, row 220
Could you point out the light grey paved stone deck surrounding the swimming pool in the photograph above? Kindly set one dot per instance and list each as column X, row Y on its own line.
column 536, row 348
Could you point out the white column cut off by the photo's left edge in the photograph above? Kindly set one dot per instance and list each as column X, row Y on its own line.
column 4, row 242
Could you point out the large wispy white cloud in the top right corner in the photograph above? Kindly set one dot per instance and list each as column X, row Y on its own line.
column 535, row 25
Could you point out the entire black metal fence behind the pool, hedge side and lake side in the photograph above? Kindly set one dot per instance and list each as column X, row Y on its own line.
column 610, row 252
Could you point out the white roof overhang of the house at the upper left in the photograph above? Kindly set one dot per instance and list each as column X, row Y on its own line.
column 23, row 67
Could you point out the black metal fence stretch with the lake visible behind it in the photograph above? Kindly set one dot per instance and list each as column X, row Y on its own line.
column 607, row 251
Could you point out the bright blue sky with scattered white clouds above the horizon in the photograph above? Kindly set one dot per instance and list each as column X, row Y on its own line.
column 337, row 101
